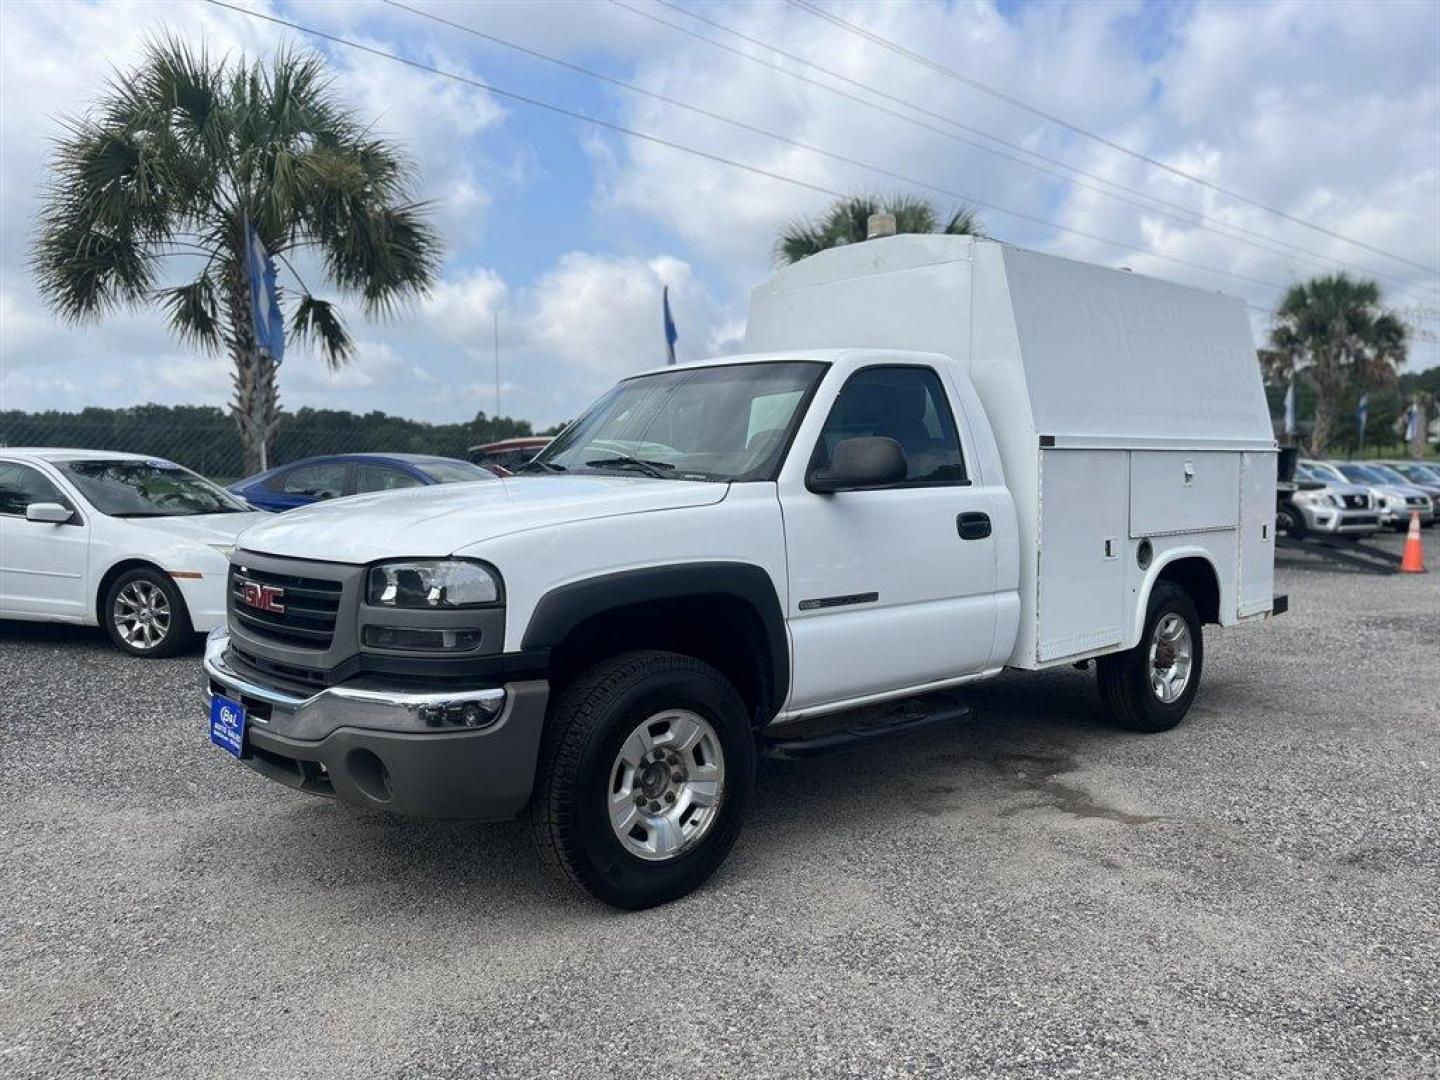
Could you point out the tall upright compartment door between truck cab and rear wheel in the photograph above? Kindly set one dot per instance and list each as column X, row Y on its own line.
column 1081, row 587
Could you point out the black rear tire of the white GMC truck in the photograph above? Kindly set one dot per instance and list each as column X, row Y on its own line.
column 1125, row 679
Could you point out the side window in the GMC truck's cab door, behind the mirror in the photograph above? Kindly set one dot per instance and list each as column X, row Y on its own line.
column 906, row 405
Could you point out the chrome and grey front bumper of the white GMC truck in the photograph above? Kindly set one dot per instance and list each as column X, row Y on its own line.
column 368, row 747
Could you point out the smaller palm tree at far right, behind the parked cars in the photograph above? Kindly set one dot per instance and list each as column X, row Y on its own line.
column 1331, row 330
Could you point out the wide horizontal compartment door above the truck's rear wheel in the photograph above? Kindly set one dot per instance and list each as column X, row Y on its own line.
column 1184, row 492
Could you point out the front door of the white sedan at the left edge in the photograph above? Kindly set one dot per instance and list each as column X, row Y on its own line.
column 42, row 565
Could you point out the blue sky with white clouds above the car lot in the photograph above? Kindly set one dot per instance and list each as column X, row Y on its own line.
column 1326, row 112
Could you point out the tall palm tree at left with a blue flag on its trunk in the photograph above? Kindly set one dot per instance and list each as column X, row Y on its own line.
column 161, row 181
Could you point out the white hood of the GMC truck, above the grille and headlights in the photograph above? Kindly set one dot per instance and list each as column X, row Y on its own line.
column 443, row 519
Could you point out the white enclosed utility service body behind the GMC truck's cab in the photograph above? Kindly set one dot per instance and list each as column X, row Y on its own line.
column 1124, row 410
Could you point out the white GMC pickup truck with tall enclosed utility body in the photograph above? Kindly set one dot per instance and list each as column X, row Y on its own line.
column 942, row 459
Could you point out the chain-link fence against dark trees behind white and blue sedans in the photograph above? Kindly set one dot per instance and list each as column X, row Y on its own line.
column 205, row 438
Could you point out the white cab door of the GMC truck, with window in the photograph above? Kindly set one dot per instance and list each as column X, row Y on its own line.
column 889, row 588
